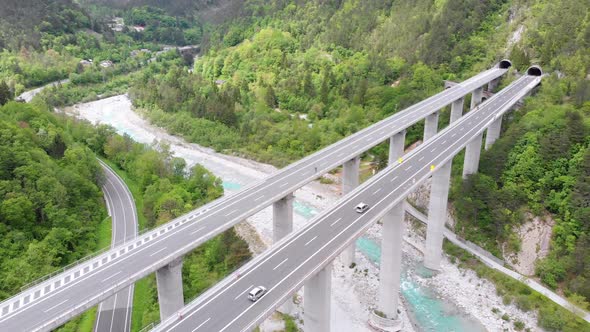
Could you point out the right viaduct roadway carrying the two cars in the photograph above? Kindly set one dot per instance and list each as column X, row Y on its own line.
column 285, row 267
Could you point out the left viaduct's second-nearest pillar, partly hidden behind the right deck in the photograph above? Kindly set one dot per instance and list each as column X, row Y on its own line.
column 282, row 219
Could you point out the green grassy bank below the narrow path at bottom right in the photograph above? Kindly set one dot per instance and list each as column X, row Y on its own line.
column 552, row 317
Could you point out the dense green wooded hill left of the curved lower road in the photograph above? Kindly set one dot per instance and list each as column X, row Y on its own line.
column 50, row 201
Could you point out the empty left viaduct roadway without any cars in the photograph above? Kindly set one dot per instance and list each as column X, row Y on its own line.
column 57, row 300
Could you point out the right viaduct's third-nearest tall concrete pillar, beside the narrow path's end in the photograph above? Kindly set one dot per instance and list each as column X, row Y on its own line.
column 437, row 216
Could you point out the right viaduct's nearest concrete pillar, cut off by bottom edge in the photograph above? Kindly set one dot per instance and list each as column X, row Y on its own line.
column 316, row 301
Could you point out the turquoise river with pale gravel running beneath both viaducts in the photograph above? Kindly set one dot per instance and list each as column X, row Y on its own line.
column 427, row 311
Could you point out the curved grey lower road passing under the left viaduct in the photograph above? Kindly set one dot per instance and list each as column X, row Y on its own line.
column 114, row 313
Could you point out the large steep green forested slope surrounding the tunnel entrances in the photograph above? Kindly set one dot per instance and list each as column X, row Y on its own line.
column 289, row 77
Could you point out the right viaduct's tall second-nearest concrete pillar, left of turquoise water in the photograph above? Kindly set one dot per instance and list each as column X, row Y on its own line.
column 391, row 261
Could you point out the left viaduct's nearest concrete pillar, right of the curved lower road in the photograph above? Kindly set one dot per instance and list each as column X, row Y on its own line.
column 169, row 280
